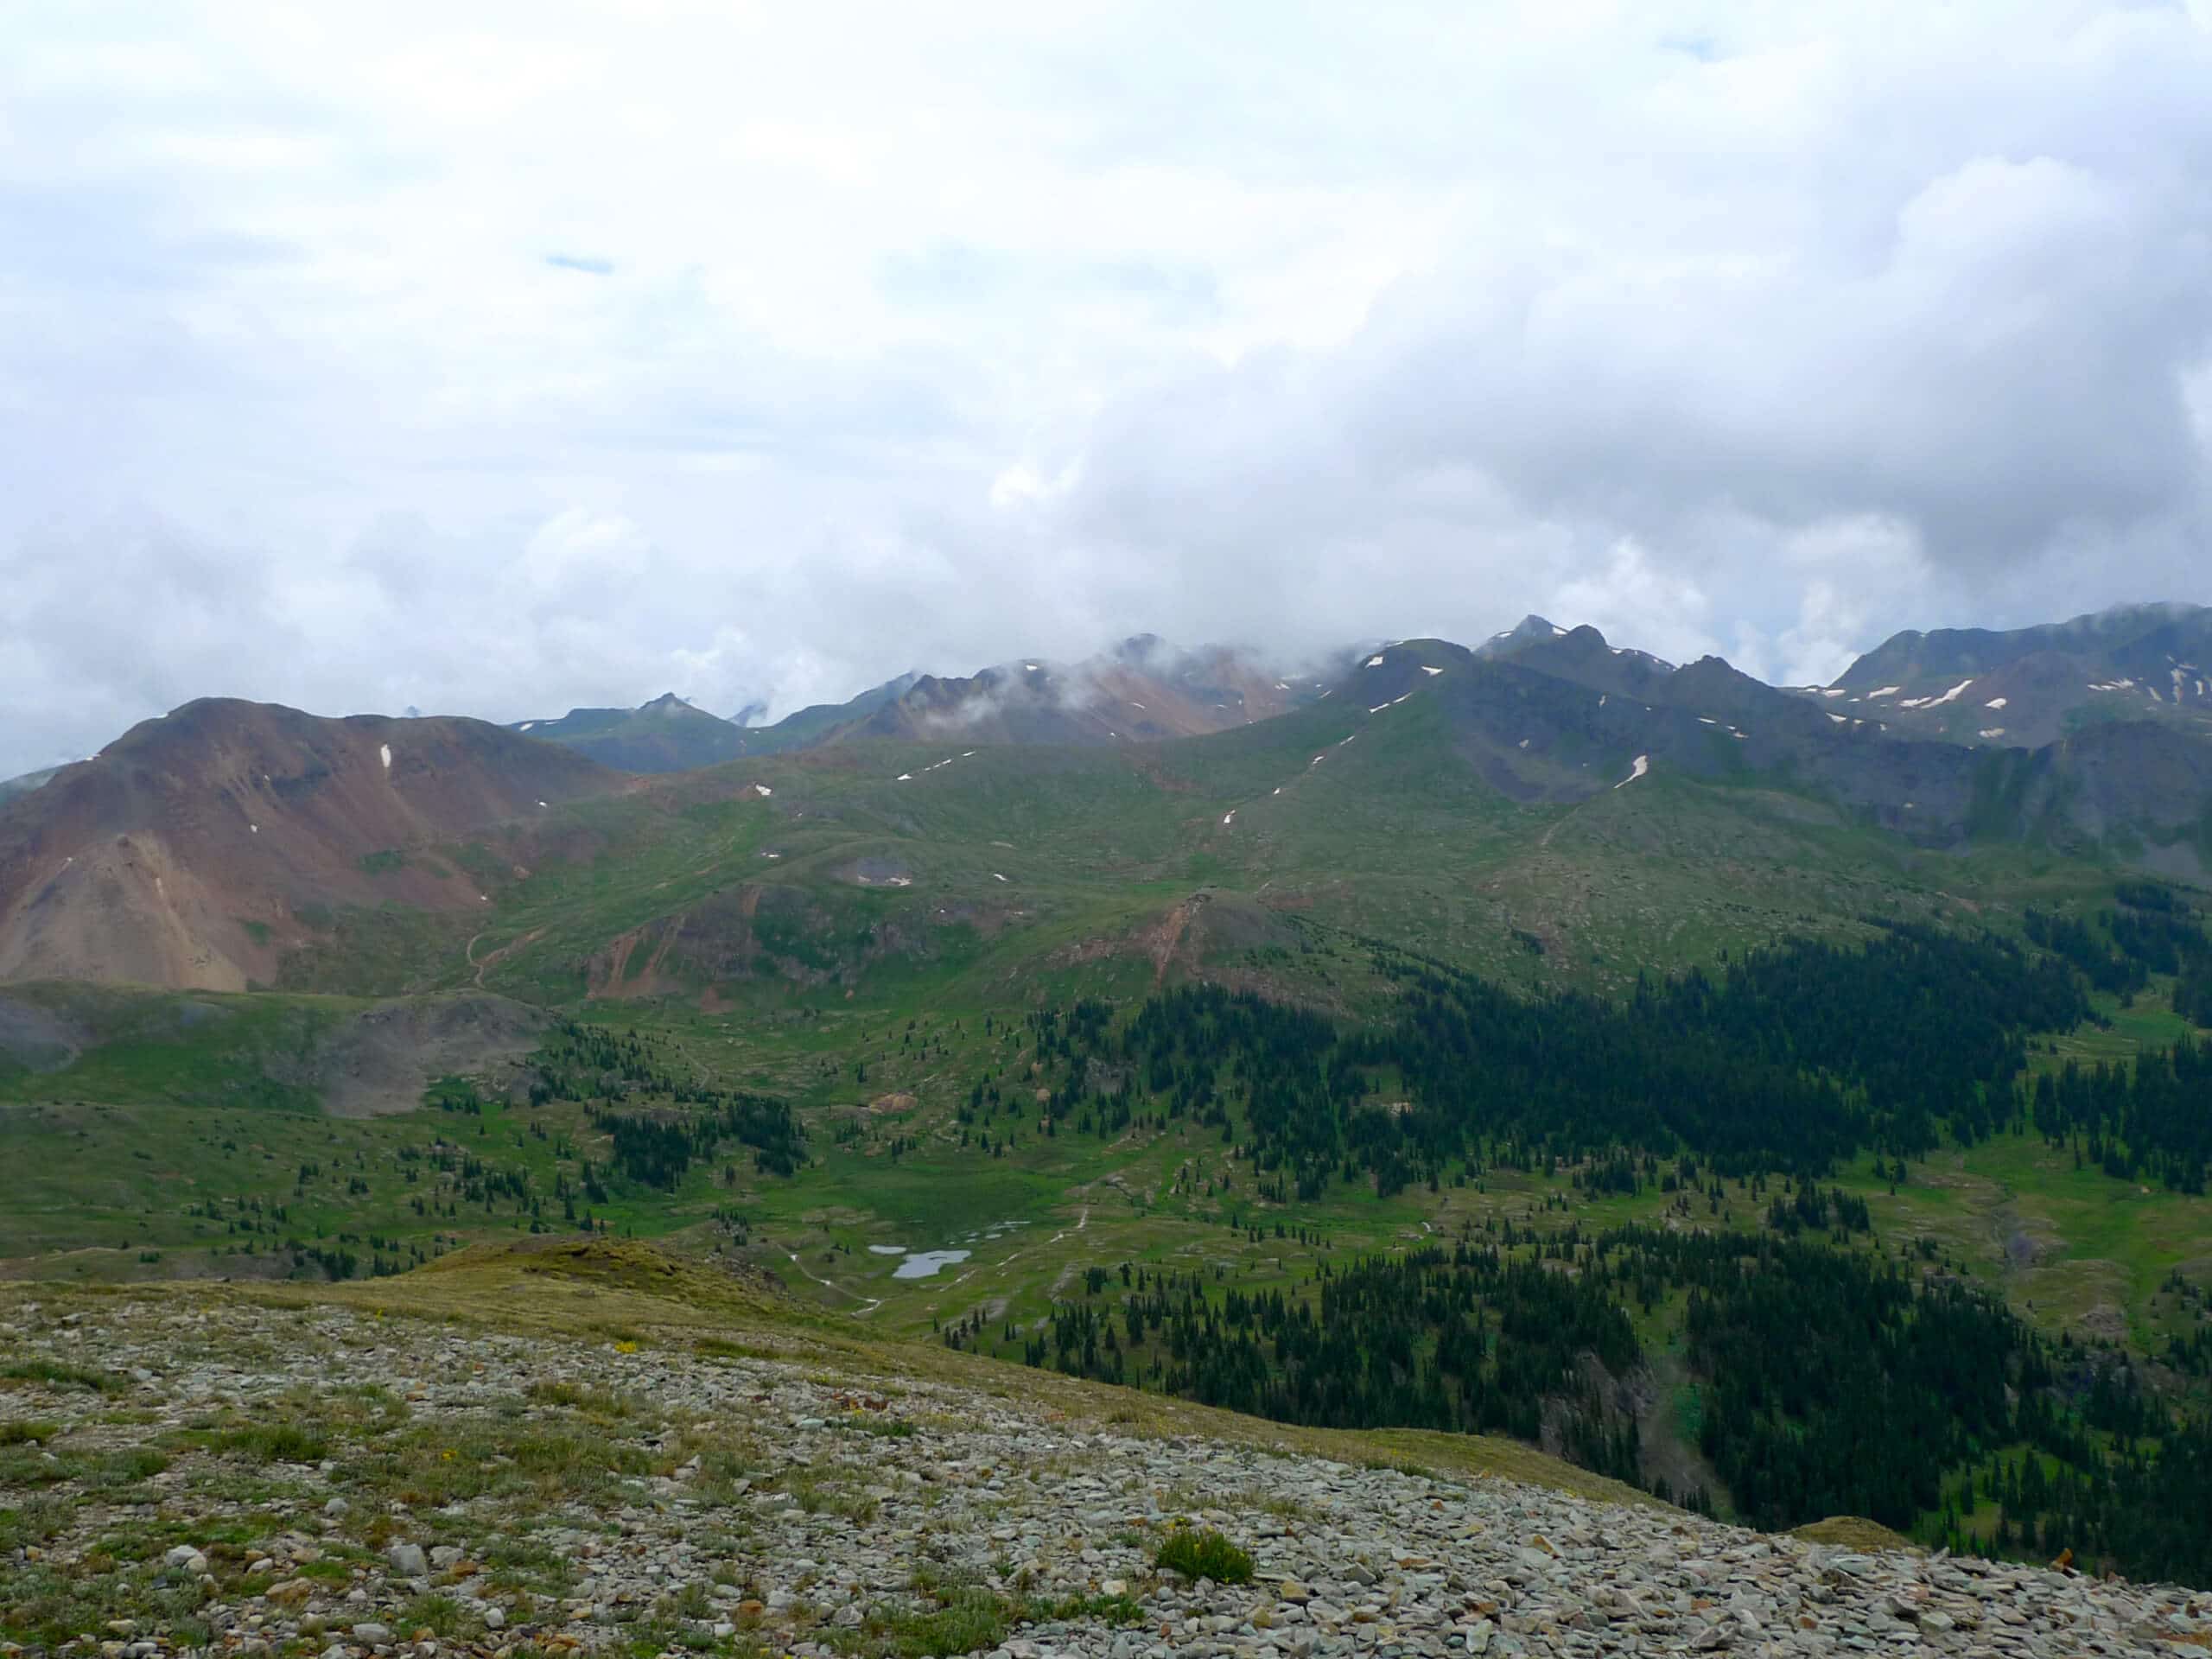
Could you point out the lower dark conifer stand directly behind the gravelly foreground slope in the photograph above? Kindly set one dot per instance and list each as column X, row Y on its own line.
column 1835, row 1381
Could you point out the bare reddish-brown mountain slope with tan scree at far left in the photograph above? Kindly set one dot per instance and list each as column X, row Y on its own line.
column 185, row 853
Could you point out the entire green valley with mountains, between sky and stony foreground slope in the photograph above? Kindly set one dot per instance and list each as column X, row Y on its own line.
column 1505, row 1045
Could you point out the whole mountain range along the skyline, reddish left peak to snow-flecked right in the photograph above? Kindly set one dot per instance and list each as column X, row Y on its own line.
column 236, row 844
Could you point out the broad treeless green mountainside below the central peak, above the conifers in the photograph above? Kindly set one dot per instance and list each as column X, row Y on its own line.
column 888, row 870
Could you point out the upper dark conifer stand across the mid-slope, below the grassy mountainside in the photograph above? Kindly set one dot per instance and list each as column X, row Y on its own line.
column 1793, row 1061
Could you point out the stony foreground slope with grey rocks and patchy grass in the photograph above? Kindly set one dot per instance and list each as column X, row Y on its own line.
column 258, row 1481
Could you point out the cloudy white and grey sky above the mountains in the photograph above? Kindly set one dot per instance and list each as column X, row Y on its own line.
column 505, row 359
